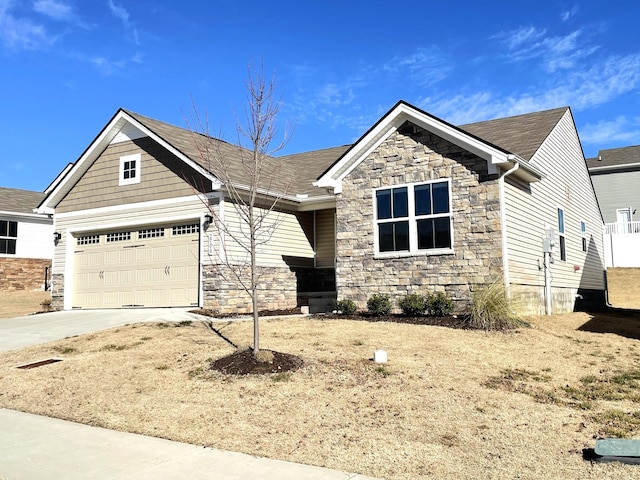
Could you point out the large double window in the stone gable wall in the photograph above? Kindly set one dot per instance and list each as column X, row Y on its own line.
column 414, row 218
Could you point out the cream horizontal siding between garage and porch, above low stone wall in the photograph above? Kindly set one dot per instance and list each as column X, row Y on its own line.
column 290, row 243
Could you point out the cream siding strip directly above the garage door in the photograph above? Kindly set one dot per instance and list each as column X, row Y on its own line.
column 157, row 213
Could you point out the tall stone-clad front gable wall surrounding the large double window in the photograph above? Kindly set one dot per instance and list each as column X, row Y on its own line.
column 412, row 157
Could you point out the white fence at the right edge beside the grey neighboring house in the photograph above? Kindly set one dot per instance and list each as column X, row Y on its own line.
column 622, row 244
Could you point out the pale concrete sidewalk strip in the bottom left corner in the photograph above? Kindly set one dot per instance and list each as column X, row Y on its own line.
column 41, row 448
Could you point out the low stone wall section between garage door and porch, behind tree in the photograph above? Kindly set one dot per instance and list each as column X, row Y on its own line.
column 276, row 290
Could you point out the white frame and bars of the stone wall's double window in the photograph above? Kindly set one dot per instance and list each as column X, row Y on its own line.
column 413, row 226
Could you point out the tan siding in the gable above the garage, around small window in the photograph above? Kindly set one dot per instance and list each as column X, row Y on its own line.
column 162, row 176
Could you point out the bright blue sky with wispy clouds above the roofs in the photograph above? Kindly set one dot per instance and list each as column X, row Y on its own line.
column 66, row 66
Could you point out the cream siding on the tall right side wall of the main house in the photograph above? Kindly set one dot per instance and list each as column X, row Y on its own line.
column 565, row 186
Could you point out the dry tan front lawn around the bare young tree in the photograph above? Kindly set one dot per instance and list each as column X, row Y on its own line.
column 449, row 403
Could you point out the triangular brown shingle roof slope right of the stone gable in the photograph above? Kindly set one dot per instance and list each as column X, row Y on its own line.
column 520, row 134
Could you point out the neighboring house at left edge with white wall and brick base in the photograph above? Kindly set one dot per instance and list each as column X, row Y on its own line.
column 26, row 241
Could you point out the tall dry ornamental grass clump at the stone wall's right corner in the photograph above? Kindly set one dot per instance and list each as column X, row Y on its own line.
column 492, row 309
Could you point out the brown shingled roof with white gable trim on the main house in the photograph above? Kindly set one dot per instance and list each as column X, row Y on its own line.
column 501, row 142
